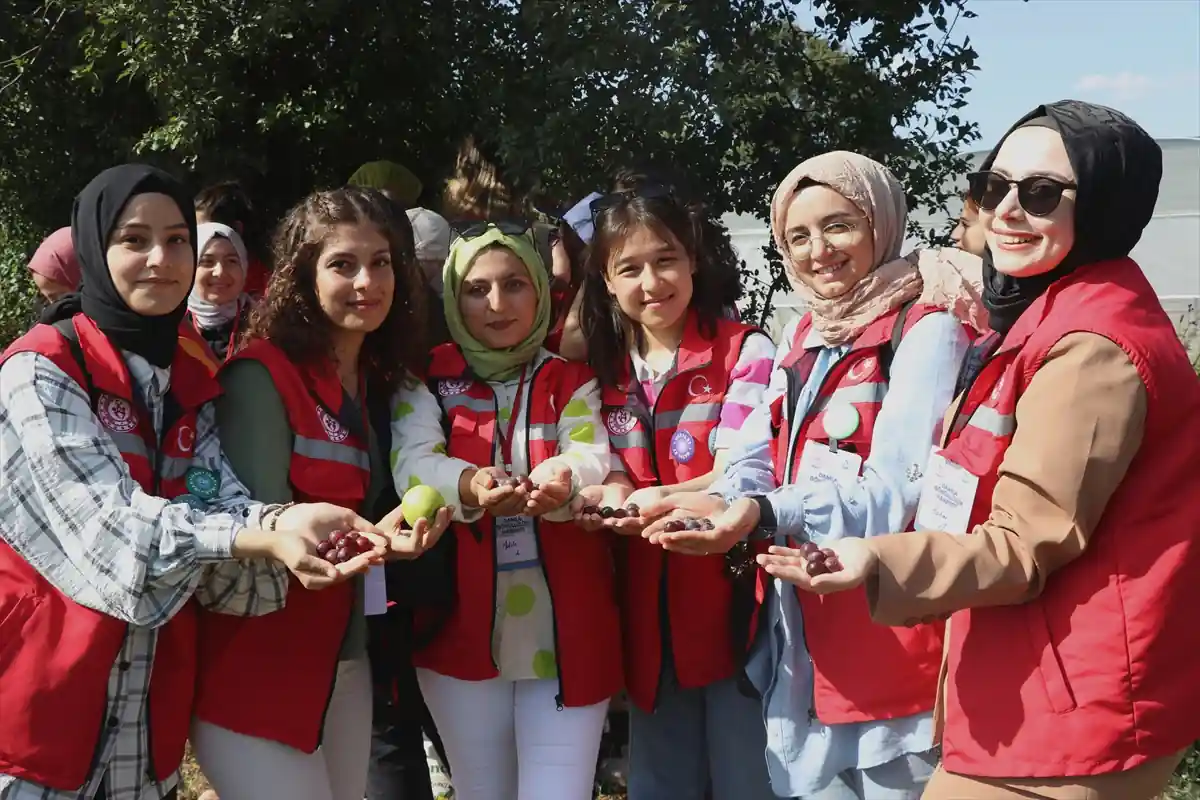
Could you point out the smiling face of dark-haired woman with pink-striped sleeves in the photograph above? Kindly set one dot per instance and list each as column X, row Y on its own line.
column 651, row 276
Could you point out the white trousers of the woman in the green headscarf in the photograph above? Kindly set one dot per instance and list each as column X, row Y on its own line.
column 507, row 741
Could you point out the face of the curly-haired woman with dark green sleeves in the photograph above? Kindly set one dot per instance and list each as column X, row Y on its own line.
column 356, row 282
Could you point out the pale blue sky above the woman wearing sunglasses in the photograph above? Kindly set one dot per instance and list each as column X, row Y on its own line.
column 1141, row 57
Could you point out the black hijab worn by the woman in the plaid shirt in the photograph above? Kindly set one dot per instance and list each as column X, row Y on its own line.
column 97, row 213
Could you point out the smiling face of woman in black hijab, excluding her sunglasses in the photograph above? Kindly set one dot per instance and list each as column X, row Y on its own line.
column 1023, row 245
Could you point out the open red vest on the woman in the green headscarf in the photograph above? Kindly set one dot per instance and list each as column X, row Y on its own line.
column 578, row 564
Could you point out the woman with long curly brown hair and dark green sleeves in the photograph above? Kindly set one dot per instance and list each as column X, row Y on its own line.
column 340, row 328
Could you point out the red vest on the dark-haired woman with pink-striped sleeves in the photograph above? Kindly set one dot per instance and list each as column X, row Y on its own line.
column 669, row 444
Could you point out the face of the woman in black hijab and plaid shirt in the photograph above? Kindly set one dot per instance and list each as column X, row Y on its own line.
column 151, row 256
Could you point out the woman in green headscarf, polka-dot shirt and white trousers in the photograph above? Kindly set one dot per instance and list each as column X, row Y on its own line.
column 520, row 671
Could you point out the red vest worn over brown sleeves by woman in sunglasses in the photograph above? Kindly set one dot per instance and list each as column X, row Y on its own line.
column 1096, row 675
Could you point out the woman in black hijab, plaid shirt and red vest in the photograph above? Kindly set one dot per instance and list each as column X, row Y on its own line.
column 117, row 507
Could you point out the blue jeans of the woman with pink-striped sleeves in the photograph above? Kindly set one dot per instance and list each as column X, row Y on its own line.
column 697, row 739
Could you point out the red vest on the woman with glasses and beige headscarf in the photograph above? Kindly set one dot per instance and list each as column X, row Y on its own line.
column 847, row 648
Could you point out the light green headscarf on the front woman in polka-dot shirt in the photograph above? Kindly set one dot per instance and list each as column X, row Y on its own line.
column 487, row 363
